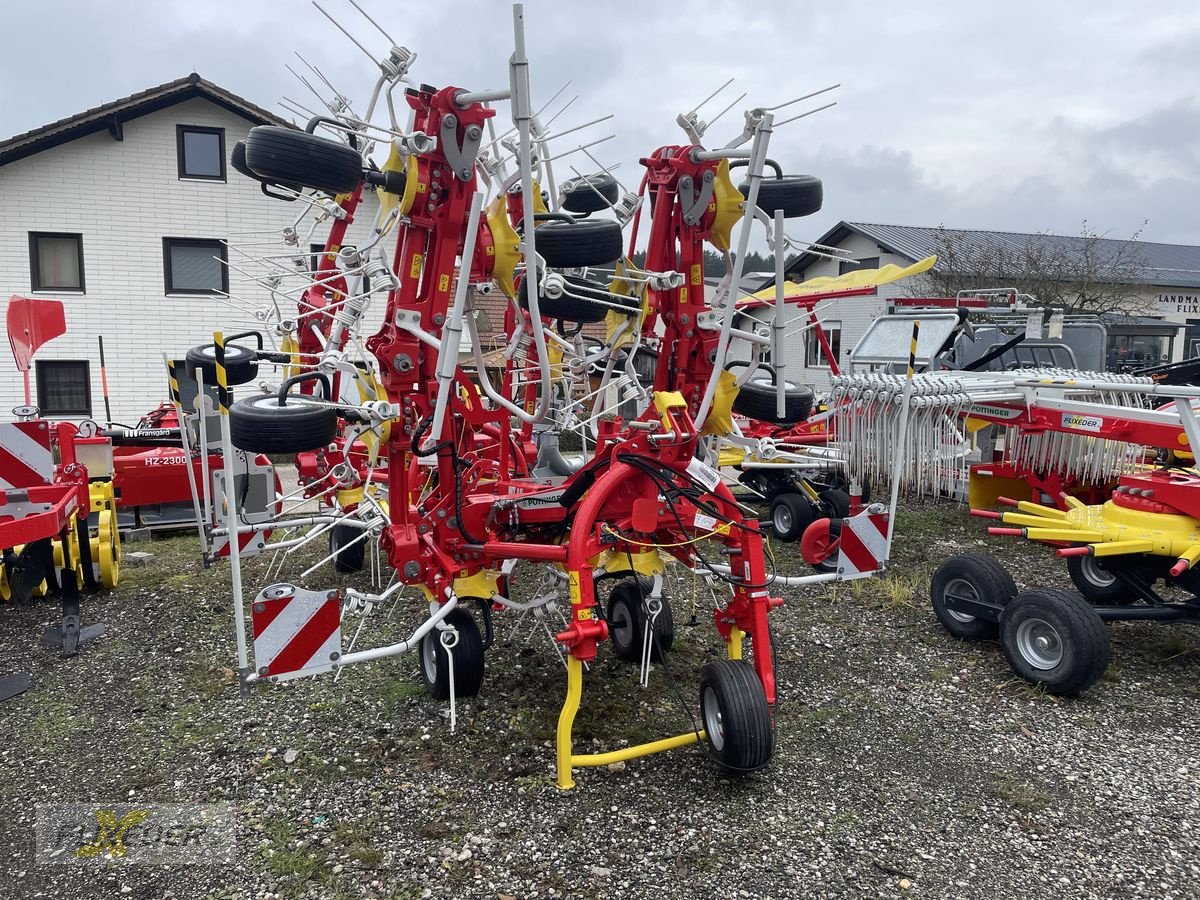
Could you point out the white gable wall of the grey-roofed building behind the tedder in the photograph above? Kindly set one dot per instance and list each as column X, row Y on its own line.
column 851, row 316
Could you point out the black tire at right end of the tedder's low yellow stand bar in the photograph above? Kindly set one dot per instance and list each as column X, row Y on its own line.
column 742, row 737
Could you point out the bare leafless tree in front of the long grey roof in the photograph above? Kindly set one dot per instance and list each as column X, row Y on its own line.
column 1087, row 274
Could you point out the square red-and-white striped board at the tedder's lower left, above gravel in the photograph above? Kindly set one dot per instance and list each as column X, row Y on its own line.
column 297, row 632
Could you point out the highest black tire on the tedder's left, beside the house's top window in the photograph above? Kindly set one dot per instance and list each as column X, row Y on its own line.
column 296, row 158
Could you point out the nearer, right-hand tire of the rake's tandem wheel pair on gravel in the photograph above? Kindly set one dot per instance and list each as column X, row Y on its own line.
column 1079, row 639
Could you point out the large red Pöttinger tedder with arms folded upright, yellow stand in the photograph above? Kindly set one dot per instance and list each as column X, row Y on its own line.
column 458, row 481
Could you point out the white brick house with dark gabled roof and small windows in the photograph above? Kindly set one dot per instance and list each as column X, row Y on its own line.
column 121, row 212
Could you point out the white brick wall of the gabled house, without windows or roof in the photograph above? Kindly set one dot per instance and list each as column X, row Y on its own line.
column 124, row 197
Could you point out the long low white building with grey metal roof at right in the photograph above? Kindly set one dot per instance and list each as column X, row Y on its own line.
column 1168, row 284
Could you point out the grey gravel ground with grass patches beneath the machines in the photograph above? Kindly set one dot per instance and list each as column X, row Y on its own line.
column 907, row 764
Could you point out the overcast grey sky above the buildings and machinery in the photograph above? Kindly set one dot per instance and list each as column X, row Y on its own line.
column 1009, row 116
